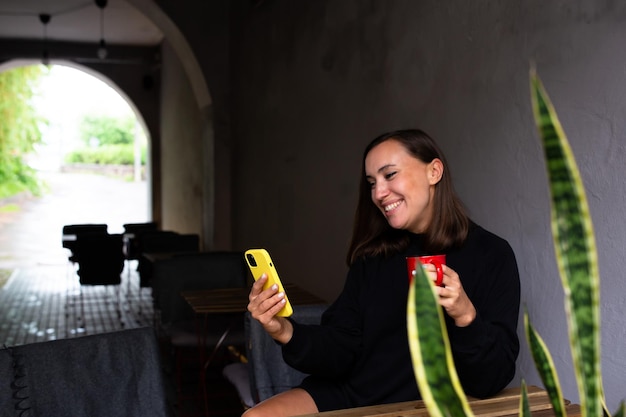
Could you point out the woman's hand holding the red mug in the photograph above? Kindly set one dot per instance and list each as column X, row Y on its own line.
column 452, row 296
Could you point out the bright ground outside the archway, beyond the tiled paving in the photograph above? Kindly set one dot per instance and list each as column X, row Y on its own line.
column 32, row 235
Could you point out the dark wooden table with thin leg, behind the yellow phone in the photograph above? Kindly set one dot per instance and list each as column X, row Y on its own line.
column 230, row 301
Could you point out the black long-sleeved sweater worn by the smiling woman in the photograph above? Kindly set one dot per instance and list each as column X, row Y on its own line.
column 360, row 356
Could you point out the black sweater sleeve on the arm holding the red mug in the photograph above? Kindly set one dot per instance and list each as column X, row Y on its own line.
column 485, row 351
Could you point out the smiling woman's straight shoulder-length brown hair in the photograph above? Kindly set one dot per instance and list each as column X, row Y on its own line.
column 372, row 235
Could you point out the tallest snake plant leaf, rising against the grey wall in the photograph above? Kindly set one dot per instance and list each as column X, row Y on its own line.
column 575, row 249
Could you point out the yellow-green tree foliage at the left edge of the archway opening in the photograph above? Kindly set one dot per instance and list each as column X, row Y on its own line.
column 19, row 129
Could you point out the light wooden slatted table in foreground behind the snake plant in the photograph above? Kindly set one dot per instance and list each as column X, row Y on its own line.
column 504, row 404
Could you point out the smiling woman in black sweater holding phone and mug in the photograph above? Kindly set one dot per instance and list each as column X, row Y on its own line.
column 359, row 355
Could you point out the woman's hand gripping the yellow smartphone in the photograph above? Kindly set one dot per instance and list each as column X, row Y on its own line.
column 263, row 305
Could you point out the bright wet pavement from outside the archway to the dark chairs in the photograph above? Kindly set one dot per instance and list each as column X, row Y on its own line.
column 42, row 299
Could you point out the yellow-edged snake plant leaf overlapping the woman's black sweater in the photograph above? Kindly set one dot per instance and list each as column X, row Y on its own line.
column 430, row 352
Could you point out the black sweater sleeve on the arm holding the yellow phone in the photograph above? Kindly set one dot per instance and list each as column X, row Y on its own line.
column 331, row 348
